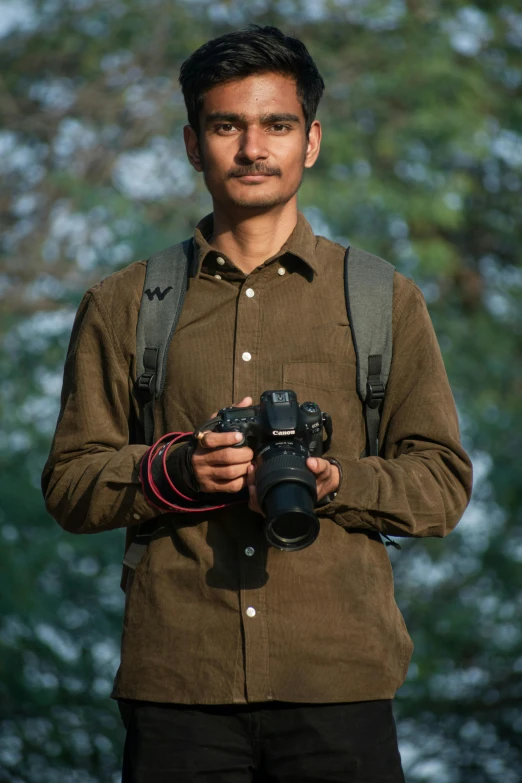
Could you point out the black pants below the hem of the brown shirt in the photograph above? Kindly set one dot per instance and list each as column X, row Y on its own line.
column 273, row 741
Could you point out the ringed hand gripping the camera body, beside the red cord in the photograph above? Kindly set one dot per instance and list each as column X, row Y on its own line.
column 217, row 466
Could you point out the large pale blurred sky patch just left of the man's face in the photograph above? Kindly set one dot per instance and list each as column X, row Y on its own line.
column 154, row 173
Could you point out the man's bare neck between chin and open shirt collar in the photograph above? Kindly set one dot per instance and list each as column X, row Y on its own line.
column 250, row 238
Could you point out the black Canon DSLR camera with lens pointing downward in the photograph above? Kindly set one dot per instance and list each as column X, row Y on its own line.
column 283, row 434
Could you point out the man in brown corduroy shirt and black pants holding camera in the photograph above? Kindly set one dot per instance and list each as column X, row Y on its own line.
column 240, row 661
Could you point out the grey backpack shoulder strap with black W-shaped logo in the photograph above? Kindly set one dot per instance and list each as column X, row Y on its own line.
column 166, row 283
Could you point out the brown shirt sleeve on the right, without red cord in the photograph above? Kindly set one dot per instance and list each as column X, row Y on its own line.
column 420, row 484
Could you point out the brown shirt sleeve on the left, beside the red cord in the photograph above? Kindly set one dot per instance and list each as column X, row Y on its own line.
column 91, row 480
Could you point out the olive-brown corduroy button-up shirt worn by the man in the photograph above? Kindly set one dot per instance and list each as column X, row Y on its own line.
column 213, row 614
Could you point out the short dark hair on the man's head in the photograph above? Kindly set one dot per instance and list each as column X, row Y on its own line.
column 242, row 53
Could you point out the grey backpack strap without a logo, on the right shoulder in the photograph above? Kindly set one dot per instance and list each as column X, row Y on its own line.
column 368, row 285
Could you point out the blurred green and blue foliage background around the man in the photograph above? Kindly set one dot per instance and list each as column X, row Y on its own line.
column 421, row 164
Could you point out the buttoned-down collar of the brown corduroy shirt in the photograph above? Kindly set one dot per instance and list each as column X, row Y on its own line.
column 301, row 243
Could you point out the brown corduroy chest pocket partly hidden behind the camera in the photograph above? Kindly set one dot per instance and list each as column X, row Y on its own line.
column 333, row 388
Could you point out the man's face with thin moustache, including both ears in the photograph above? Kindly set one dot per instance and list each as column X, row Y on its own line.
column 252, row 146
